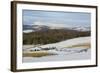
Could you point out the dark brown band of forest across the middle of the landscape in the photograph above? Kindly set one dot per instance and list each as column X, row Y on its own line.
column 52, row 36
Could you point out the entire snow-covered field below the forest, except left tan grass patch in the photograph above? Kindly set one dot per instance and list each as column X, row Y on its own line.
column 72, row 49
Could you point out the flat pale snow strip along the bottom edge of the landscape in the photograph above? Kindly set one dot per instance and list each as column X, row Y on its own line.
column 60, row 57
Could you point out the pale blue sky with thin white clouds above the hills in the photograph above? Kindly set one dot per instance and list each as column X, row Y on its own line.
column 57, row 18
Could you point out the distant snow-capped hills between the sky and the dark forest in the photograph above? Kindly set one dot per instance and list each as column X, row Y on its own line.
column 48, row 27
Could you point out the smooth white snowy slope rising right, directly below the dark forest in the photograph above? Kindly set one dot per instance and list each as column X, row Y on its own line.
column 69, row 42
